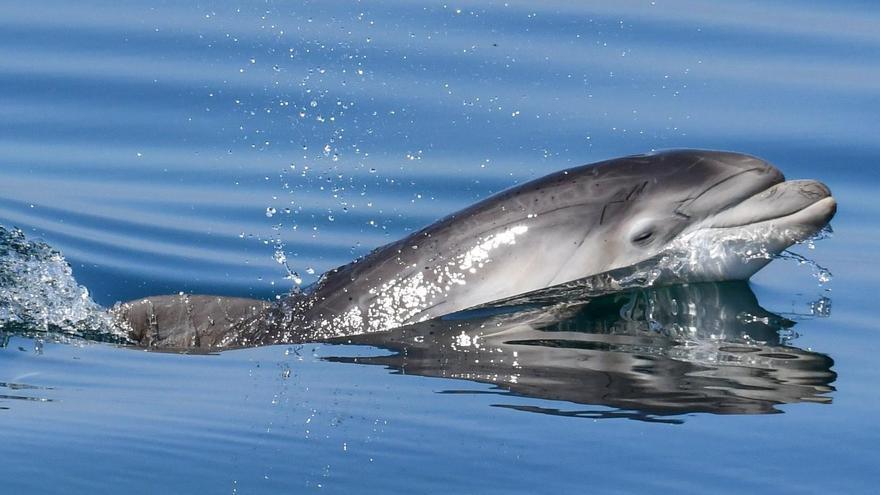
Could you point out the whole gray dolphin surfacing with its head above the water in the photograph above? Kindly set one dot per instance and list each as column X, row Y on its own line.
column 704, row 213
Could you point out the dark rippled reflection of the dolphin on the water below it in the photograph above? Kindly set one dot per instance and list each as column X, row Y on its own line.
column 647, row 353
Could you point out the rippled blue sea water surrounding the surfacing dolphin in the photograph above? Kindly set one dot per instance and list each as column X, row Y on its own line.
column 149, row 143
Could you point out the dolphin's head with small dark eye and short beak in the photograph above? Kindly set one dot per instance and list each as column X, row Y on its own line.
column 710, row 215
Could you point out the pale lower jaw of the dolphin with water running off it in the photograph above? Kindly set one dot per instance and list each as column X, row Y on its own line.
column 718, row 253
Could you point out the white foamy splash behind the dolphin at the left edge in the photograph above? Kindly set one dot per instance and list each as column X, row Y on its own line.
column 39, row 294
